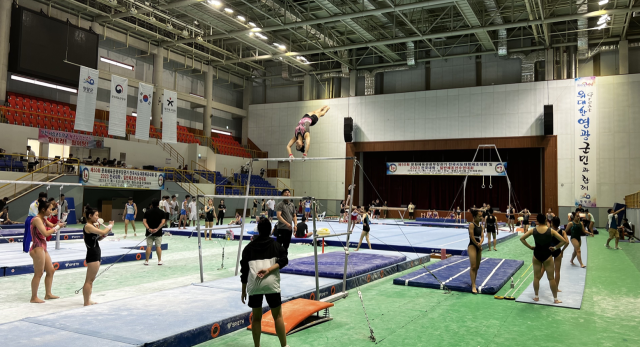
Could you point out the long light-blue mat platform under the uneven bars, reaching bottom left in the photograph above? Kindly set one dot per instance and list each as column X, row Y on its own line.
column 194, row 314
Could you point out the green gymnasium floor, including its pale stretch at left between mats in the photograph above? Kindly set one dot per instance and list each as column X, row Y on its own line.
column 400, row 316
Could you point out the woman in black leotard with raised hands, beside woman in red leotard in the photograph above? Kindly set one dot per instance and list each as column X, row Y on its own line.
column 92, row 233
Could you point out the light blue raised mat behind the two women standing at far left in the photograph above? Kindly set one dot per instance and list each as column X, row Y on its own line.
column 13, row 261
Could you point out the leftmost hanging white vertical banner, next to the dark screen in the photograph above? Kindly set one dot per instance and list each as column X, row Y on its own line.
column 86, row 104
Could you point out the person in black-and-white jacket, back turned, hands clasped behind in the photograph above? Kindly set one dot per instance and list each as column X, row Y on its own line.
column 260, row 267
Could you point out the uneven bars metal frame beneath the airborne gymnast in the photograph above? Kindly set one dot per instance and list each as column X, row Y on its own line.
column 315, row 231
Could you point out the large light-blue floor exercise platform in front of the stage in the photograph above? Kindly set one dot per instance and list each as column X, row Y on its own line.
column 383, row 237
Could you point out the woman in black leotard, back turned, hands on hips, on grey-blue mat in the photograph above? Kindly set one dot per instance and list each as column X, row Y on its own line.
column 542, row 252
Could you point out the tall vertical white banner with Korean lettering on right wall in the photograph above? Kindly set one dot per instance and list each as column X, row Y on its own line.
column 585, row 120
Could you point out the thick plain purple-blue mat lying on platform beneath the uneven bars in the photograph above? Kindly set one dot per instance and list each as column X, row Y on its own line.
column 332, row 264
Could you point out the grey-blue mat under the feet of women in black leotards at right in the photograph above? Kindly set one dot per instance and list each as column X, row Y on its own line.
column 572, row 282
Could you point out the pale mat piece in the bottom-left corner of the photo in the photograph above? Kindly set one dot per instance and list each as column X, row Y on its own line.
column 24, row 334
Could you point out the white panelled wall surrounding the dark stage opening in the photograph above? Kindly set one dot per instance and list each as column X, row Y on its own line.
column 490, row 111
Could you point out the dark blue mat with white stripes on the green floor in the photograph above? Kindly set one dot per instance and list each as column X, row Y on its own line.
column 454, row 273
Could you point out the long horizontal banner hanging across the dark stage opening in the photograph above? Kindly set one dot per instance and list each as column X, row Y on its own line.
column 448, row 168
